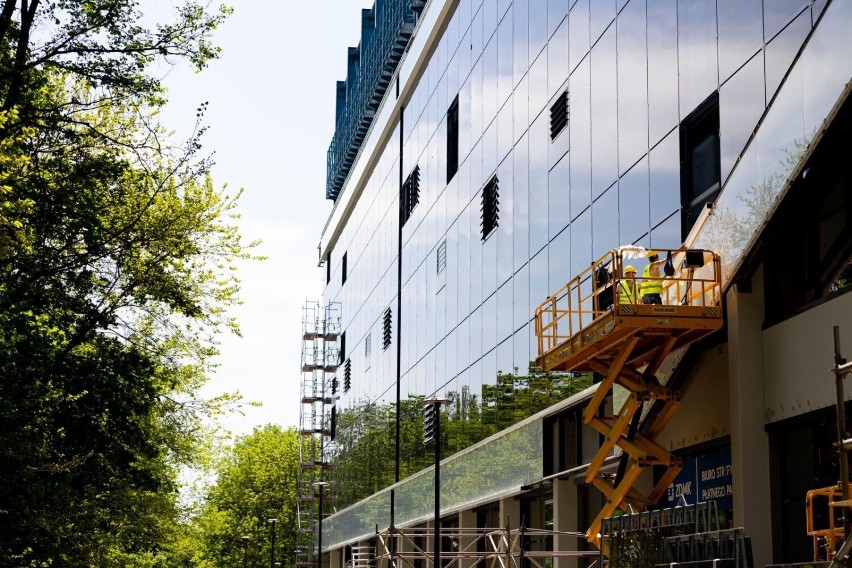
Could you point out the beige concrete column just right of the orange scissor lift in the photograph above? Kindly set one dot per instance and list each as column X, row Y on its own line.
column 749, row 442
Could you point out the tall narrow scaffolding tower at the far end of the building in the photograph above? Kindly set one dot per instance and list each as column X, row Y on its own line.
column 320, row 359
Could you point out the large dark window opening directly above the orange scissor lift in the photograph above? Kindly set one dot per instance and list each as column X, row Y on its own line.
column 700, row 161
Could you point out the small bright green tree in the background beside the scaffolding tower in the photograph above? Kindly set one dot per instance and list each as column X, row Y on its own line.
column 255, row 481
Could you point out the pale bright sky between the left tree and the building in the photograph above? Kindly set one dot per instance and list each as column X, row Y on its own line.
column 271, row 117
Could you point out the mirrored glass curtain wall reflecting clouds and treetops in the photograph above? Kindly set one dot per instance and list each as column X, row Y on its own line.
column 472, row 271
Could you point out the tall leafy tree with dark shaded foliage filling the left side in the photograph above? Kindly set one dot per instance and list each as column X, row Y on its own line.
column 117, row 258
